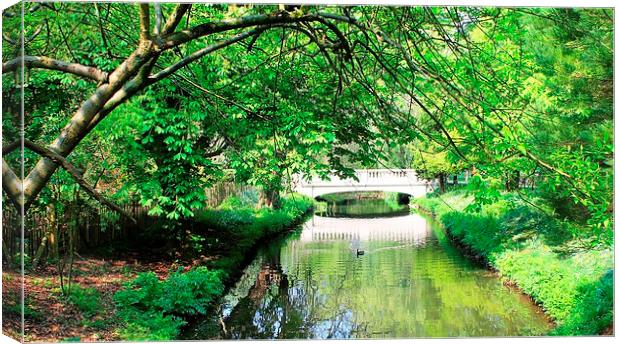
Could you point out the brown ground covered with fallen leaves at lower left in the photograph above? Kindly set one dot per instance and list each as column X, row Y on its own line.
column 50, row 316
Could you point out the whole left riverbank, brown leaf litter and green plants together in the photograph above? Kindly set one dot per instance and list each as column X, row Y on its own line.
column 130, row 296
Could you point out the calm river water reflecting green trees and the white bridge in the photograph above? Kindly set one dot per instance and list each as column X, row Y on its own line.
column 409, row 282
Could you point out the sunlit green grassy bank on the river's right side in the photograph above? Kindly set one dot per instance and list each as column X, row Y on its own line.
column 568, row 274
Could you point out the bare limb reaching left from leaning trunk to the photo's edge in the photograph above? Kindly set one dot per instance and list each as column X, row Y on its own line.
column 49, row 63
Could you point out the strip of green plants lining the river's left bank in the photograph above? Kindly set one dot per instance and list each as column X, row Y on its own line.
column 154, row 309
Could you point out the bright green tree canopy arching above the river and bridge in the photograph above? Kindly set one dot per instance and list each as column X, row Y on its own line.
column 156, row 101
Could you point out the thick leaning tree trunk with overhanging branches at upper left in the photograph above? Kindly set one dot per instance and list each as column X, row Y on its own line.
column 126, row 80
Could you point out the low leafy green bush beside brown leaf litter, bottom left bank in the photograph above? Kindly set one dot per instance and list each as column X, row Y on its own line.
column 153, row 310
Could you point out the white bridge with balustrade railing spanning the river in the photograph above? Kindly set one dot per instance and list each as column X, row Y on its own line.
column 402, row 181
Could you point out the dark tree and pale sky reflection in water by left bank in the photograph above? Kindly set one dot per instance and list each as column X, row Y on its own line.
column 275, row 309
